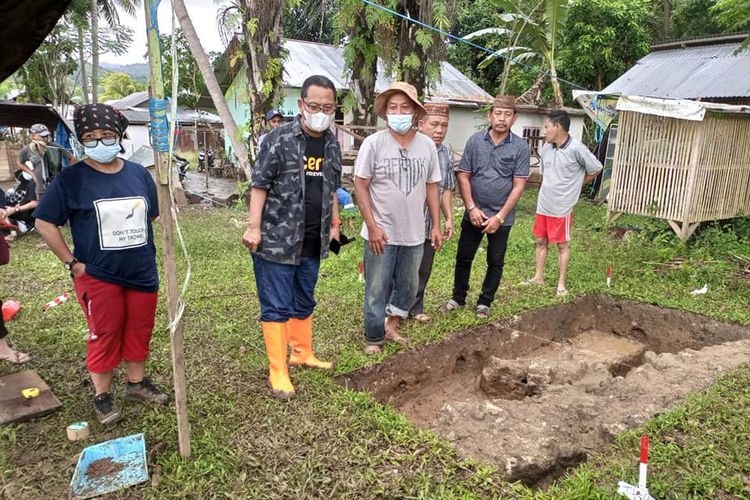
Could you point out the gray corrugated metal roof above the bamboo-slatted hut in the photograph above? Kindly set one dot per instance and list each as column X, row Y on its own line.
column 711, row 71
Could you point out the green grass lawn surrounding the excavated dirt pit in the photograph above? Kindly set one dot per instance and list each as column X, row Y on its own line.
column 333, row 443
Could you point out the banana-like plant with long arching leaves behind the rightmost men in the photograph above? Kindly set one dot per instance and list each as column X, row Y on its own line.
column 534, row 35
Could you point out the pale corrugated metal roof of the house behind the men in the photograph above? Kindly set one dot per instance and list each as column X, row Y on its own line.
column 309, row 58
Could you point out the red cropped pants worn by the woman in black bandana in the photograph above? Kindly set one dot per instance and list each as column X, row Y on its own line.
column 120, row 322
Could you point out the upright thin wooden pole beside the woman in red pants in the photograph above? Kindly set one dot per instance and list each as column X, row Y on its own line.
column 168, row 244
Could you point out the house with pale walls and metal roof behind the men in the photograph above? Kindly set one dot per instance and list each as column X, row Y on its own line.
column 464, row 97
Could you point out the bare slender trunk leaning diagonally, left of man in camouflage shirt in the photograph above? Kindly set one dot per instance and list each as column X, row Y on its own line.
column 212, row 84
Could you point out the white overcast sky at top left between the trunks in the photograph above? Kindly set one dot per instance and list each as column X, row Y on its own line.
column 202, row 12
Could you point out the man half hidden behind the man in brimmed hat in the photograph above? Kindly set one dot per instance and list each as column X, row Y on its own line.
column 435, row 126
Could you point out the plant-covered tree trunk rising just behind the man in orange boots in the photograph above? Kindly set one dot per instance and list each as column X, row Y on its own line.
column 262, row 32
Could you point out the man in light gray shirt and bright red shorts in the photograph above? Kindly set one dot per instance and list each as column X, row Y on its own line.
column 566, row 166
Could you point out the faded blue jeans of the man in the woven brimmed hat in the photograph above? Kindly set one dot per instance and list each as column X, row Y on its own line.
column 397, row 265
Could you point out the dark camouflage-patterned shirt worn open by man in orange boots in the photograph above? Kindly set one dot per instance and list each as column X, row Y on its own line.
column 280, row 171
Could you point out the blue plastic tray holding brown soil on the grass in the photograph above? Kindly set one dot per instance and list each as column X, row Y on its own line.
column 110, row 466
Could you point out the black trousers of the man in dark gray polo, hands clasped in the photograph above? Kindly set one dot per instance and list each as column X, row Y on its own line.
column 468, row 243
